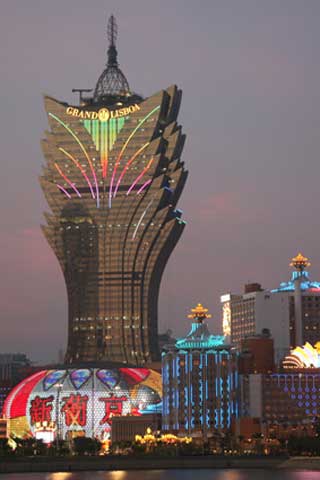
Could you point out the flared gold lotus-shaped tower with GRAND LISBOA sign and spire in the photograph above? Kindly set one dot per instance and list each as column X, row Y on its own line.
column 112, row 178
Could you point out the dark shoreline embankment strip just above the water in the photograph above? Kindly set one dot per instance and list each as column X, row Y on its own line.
column 77, row 464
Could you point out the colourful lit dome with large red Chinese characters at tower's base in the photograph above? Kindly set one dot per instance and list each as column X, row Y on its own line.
column 80, row 401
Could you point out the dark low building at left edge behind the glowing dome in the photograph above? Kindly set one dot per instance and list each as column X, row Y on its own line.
column 13, row 368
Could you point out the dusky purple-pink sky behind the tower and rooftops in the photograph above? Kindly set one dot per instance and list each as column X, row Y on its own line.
column 250, row 76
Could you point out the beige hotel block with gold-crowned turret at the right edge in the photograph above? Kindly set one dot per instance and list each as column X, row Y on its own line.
column 291, row 312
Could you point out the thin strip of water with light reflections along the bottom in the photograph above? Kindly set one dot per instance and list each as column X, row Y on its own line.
column 204, row 474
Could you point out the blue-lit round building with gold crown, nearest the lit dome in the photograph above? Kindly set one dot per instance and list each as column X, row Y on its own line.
column 200, row 381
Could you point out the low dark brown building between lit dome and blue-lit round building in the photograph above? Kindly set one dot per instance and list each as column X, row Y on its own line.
column 125, row 428
